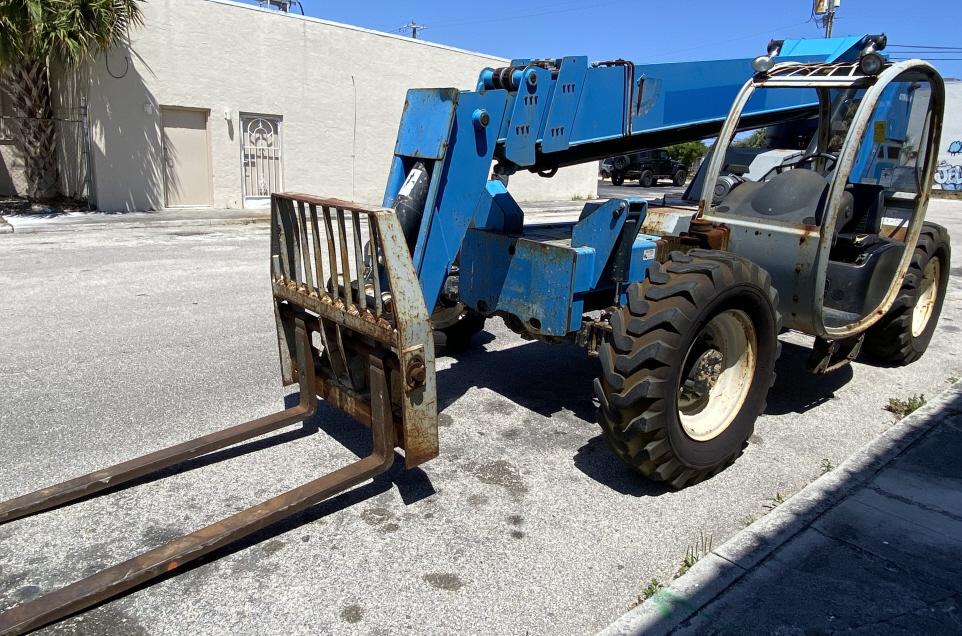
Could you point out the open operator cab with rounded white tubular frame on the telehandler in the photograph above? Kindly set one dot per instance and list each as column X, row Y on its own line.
column 831, row 222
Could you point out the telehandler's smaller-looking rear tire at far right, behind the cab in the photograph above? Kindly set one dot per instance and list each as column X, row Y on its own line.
column 903, row 334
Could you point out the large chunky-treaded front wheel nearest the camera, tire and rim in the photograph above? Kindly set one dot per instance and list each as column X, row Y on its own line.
column 689, row 365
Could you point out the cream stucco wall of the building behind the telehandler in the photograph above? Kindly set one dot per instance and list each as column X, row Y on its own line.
column 339, row 89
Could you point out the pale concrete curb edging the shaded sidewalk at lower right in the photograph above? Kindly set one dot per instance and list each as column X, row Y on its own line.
column 725, row 565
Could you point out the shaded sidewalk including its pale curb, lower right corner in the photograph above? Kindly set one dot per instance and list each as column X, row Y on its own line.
column 871, row 547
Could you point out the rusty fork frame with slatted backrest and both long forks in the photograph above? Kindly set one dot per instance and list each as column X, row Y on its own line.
column 388, row 335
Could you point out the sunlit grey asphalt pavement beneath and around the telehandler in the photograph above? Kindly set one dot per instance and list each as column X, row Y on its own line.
column 123, row 341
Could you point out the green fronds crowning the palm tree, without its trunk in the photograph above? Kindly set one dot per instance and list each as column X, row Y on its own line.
column 69, row 31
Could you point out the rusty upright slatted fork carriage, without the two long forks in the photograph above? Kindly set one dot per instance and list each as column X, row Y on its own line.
column 344, row 270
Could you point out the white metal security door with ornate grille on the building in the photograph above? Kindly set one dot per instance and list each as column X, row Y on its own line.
column 260, row 159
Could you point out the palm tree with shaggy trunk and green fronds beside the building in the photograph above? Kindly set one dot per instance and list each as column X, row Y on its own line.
column 35, row 34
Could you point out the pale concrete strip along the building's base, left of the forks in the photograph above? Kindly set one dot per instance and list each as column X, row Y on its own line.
column 31, row 223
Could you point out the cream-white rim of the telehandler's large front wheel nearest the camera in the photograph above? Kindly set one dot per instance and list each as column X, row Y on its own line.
column 711, row 395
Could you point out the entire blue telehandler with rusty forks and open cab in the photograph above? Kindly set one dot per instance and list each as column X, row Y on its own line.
column 681, row 300
